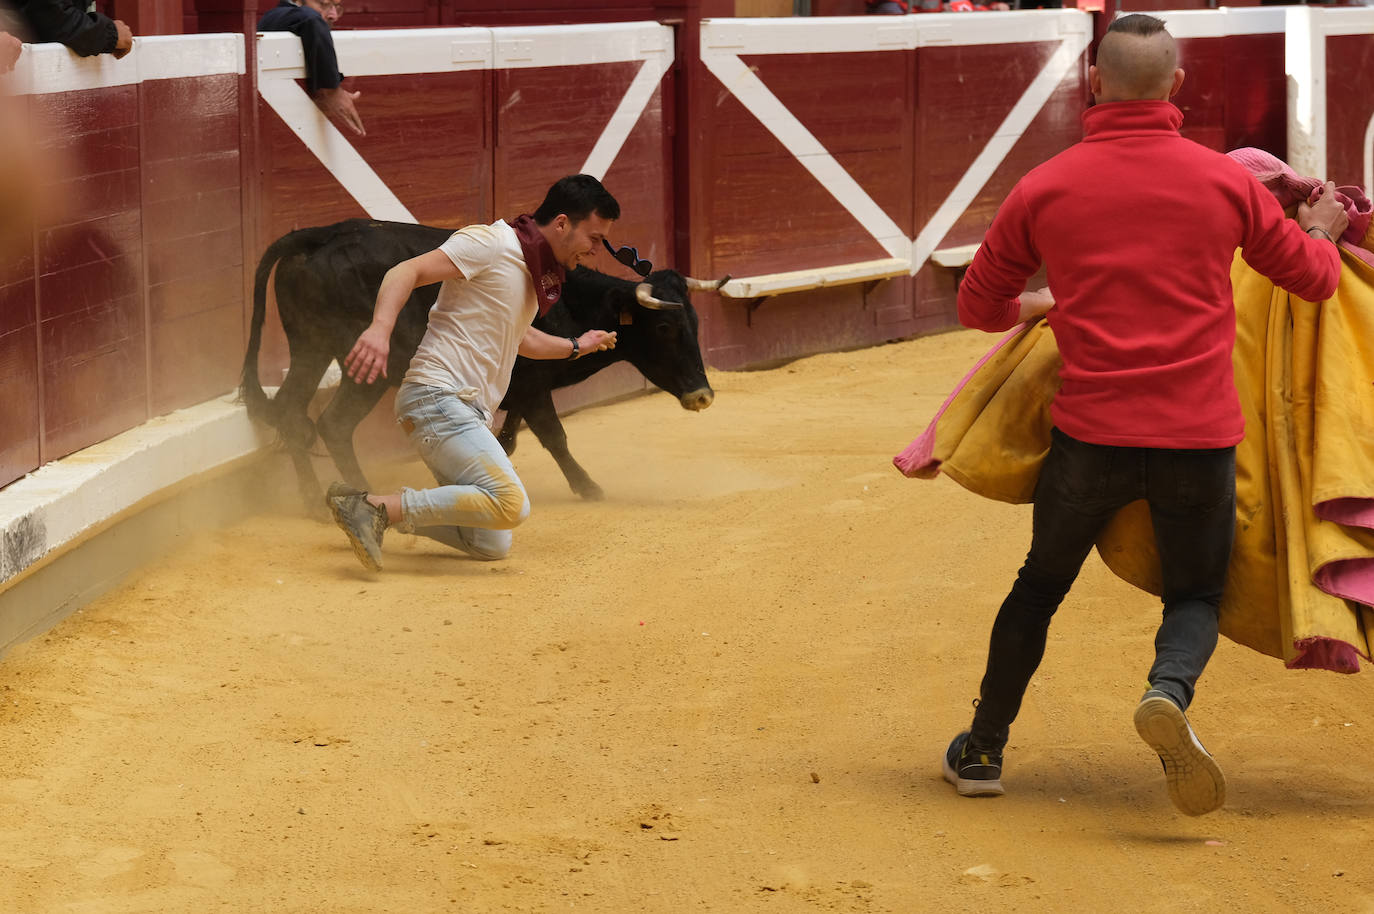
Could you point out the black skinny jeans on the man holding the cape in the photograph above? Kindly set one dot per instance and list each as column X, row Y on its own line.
column 1192, row 497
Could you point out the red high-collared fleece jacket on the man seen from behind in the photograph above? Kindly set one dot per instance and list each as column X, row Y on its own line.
column 1137, row 229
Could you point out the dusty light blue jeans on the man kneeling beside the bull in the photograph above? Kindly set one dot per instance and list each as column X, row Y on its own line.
column 479, row 498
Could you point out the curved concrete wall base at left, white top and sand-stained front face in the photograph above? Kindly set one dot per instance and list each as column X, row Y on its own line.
column 75, row 528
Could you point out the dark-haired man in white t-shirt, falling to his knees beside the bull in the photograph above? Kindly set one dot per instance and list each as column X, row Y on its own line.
column 497, row 278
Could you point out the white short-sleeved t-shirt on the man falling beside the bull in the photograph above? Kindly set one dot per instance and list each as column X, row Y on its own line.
column 477, row 322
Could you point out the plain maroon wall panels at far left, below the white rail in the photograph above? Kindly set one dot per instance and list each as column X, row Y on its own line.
column 131, row 284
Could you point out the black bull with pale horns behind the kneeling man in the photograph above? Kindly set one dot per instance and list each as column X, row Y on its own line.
column 326, row 288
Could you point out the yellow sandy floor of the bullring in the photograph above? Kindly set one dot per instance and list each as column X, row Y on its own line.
column 725, row 689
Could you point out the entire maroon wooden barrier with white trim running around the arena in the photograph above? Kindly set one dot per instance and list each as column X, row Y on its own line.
column 843, row 171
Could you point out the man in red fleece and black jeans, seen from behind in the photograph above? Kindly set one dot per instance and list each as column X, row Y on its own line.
column 1137, row 229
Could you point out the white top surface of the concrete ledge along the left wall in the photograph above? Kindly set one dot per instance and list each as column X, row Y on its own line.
column 61, row 504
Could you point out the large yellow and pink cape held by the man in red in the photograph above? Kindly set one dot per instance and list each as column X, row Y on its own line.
column 1302, row 578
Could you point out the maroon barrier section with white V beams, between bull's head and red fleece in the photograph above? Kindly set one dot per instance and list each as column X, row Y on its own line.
column 836, row 155
